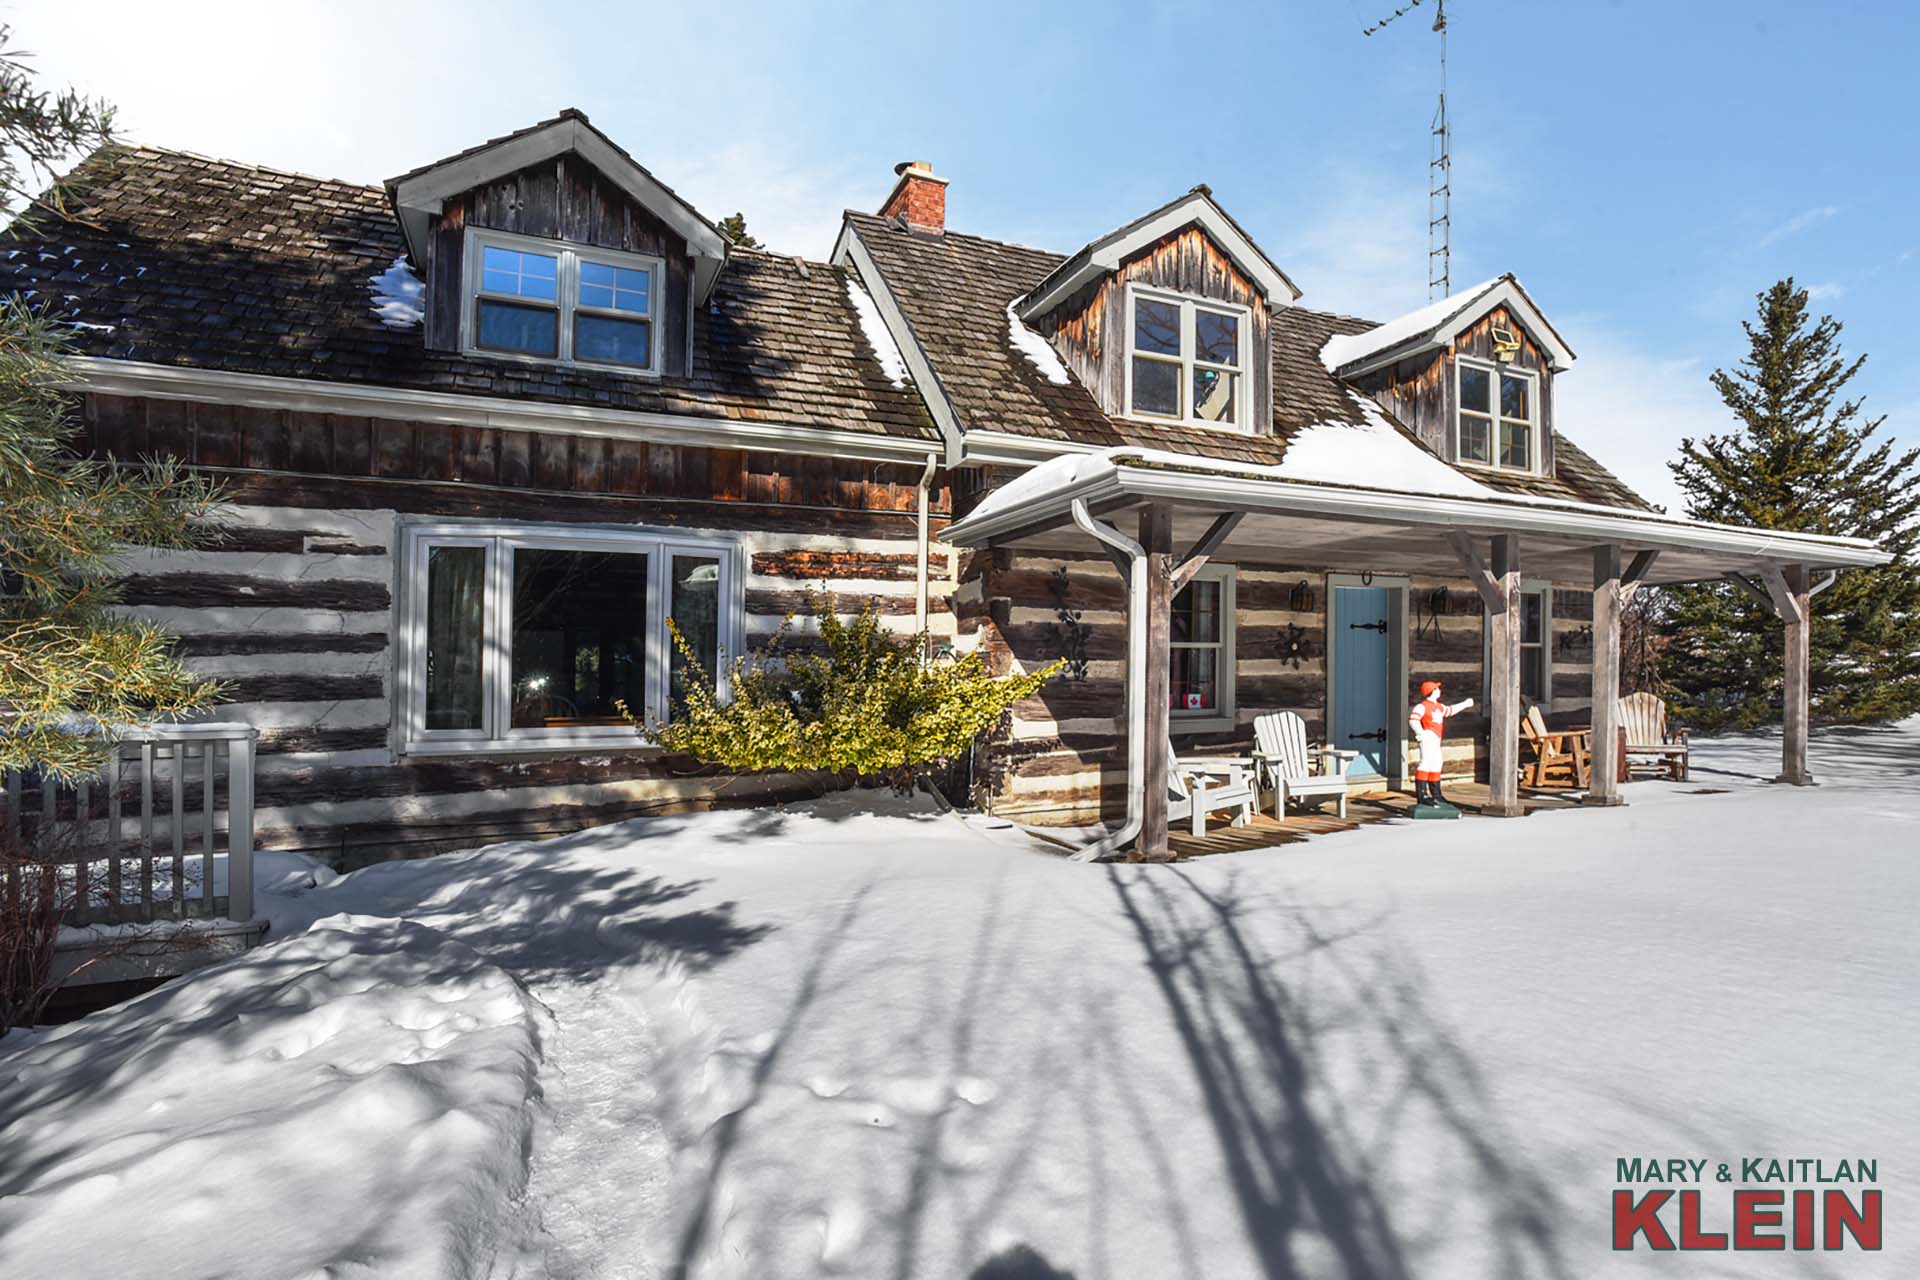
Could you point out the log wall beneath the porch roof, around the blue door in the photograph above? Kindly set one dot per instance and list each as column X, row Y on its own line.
column 1063, row 755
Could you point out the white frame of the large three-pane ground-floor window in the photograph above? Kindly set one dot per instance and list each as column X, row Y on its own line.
column 500, row 540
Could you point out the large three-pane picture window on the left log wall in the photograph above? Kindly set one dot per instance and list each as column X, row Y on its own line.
column 535, row 636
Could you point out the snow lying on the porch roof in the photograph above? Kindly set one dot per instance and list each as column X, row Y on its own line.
column 1372, row 454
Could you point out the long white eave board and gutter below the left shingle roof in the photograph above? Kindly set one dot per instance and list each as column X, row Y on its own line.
column 352, row 398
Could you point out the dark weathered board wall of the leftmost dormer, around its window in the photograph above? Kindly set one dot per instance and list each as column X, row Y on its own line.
column 567, row 201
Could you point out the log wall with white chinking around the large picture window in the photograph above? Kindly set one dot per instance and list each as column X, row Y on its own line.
column 295, row 605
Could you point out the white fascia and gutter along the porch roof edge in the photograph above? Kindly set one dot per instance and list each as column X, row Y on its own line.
column 1568, row 523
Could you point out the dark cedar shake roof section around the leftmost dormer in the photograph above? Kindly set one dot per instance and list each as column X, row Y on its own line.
column 181, row 260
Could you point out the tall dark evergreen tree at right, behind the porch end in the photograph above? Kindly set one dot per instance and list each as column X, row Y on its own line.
column 1804, row 458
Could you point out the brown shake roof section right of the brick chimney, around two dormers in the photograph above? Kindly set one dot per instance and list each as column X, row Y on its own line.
column 955, row 291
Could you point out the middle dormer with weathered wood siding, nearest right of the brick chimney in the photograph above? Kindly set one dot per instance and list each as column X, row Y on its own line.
column 1166, row 321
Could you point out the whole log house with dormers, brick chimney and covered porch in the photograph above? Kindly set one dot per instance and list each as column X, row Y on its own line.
column 485, row 429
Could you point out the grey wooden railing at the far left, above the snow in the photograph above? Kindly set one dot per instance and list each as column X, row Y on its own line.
column 151, row 836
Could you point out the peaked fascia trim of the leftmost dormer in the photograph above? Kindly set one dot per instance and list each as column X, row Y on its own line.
column 425, row 195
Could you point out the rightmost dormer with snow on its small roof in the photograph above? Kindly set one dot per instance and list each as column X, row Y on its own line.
column 1472, row 375
